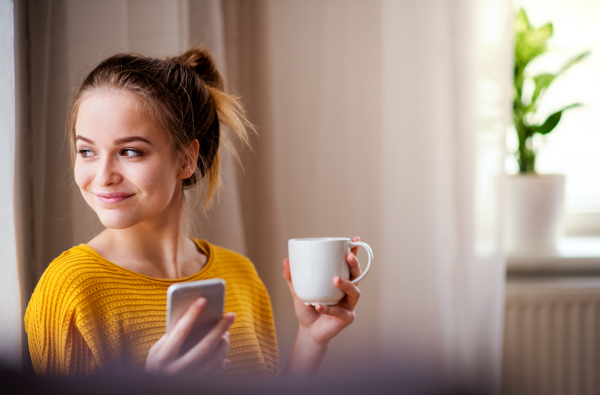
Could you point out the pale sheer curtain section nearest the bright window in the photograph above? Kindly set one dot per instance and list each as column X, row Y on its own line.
column 445, row 113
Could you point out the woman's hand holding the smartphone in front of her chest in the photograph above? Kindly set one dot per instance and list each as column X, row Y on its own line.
column 206, row 357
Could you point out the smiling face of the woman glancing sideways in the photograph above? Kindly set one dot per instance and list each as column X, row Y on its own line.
column 125, row 167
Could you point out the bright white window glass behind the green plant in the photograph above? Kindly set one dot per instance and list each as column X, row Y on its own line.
column 573, row 148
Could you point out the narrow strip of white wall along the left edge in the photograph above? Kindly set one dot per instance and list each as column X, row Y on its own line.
column 10, row 306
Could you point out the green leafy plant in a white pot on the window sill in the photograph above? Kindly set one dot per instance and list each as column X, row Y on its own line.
column 535, row 202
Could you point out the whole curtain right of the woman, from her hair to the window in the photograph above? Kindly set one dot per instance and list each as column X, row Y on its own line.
column 383, row 119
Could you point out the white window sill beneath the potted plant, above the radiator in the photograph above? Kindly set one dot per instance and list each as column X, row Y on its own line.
column 576, row 256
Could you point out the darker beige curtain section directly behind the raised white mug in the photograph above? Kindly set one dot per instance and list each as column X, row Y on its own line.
column 310, row 73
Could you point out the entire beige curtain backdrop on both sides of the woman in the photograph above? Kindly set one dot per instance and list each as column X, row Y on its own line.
column 383, row 119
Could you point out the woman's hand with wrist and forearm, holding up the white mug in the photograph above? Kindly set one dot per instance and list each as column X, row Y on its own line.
column 320, row 324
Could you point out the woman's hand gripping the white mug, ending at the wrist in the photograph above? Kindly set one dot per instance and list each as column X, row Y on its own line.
column 322, row 323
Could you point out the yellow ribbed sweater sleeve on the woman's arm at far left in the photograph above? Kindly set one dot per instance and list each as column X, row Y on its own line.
column 55, row 343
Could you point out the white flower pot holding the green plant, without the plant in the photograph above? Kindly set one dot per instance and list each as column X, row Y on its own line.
column 534, row 210
